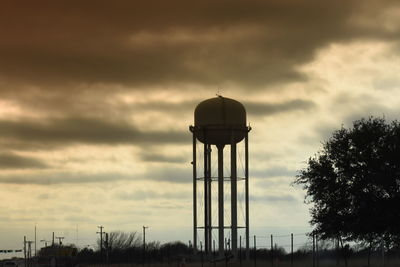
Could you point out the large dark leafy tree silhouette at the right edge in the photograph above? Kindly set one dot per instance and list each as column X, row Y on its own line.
column 354, row 184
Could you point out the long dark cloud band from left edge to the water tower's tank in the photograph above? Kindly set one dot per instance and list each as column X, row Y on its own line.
column 84, row 130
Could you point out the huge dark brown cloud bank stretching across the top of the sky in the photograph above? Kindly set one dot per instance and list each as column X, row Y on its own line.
column 161, row 42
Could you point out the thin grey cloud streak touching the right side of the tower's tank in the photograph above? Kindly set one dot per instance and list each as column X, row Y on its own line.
column 264, row 109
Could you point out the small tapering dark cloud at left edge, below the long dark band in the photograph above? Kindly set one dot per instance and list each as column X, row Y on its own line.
column 14, row 161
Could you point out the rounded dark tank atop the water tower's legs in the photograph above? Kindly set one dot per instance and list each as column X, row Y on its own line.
column 220, row 119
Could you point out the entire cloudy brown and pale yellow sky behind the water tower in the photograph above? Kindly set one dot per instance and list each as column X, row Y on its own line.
column 96, row 99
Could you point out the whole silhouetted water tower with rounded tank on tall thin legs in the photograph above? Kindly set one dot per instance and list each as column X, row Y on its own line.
column 219, row 122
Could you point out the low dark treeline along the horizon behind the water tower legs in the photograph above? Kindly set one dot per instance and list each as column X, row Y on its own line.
column 124, row 247
